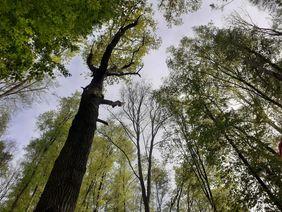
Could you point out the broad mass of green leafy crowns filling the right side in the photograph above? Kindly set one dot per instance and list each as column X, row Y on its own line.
column 224, row 95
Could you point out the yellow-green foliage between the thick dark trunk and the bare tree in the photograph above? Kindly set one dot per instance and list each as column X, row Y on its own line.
column 108, row 182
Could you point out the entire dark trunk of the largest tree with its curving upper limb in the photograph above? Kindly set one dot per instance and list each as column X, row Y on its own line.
column 62, row 189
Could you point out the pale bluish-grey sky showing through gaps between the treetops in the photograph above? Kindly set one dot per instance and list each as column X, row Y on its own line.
column 22, row 127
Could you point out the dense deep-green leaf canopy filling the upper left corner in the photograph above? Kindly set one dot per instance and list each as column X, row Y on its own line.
column 35, row 35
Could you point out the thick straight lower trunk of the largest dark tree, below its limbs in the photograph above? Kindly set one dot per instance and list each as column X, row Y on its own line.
column 62, row 189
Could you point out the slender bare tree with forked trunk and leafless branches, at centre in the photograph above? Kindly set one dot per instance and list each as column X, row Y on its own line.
column 142, row 119
